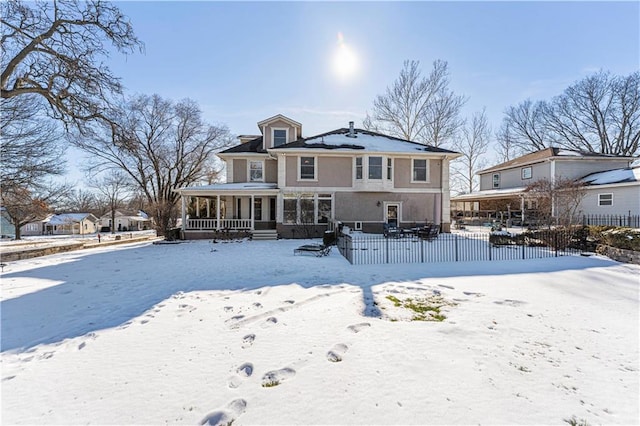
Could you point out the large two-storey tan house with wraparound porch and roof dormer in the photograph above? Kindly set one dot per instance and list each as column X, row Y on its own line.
column 282, row 183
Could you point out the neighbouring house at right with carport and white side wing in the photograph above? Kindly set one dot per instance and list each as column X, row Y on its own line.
column 610, row 181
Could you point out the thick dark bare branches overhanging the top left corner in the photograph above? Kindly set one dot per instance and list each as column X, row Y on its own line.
column 55, row 50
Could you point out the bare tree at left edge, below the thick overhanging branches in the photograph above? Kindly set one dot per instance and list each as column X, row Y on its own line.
column 30, row 145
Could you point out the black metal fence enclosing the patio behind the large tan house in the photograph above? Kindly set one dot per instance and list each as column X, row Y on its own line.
column 364, row 249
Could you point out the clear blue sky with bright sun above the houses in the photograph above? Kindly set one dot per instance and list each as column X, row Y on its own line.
column 247, row 61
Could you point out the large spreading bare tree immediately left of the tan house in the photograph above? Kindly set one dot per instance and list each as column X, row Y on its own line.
column 161, row 146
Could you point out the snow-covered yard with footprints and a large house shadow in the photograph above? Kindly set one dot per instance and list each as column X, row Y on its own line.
column 247, row 332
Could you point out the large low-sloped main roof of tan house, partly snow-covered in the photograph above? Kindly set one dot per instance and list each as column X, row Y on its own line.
column 366, row 140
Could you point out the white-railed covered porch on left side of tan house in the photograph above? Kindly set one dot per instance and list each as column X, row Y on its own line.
column 207, row 211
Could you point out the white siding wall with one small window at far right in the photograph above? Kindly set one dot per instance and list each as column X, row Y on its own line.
column 625, row 199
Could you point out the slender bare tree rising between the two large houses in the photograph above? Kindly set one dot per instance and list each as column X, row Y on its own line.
column 472, row 144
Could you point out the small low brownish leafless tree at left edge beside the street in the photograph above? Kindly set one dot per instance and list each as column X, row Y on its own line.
column 27, row 205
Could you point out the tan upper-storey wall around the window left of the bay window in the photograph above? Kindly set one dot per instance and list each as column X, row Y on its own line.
column 331, row 172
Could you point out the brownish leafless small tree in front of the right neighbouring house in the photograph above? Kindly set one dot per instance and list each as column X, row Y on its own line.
column 557, row 201
